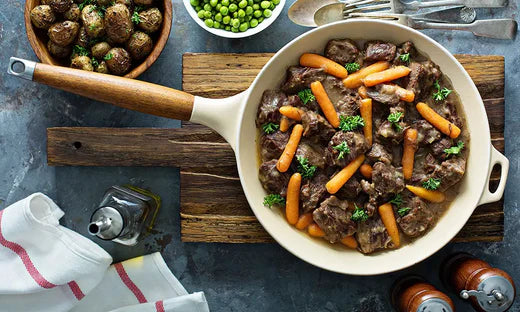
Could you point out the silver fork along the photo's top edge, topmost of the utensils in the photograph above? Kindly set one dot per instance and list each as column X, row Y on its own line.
column 396, row 6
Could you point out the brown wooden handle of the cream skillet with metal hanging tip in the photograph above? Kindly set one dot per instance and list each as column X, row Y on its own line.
column 124, row 92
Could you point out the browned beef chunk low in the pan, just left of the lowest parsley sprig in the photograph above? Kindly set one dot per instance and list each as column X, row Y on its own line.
column 333, row 217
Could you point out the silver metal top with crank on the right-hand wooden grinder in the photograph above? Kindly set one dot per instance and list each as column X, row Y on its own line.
column 494, row 294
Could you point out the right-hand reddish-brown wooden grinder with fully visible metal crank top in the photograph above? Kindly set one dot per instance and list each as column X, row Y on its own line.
column 489, row 289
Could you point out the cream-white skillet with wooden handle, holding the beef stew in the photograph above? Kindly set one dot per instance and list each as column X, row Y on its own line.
column 234, row 119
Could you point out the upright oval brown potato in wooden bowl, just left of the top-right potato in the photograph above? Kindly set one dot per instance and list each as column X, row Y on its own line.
column 118, row 24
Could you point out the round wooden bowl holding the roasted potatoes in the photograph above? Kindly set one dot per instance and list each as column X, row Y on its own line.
column 38, row 39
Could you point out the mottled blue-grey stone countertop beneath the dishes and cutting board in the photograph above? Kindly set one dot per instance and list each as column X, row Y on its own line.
column 247, row 277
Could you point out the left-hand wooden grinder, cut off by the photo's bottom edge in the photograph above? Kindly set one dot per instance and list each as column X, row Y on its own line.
column 413, row 294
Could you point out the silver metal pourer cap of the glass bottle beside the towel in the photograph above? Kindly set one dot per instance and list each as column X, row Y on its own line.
column 106, row 223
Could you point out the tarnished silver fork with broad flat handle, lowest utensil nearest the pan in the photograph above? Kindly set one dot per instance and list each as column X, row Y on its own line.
column 492, row 28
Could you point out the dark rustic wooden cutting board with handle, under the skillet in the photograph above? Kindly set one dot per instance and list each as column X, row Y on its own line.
column 213, row 206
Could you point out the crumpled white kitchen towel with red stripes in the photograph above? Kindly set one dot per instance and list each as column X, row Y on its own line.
column 47, row 267
